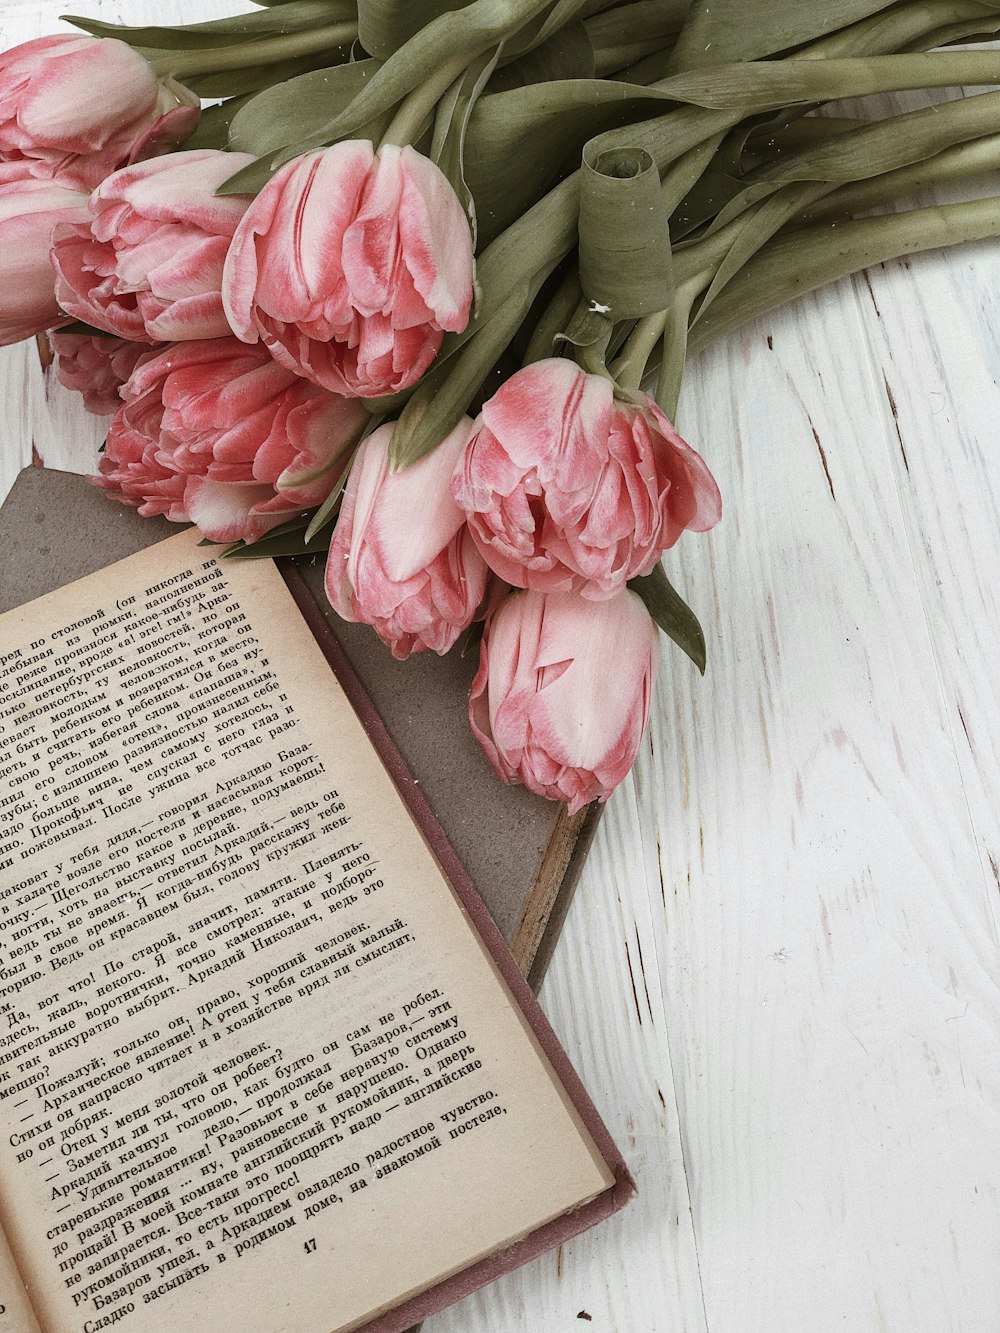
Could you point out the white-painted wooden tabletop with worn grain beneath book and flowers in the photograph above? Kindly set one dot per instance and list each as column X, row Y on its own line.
column 779, row 979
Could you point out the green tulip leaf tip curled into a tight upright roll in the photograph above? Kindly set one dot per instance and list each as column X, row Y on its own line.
column 626, row 262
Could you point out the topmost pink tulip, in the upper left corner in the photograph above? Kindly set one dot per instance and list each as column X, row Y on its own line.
column 82, row 107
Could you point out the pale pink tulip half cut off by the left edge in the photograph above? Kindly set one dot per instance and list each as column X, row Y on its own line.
column 30, row 210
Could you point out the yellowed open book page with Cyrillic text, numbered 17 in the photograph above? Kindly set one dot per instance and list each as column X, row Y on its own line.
column 254, row 1060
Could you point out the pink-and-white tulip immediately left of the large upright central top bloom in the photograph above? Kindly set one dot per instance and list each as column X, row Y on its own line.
column 149, row 263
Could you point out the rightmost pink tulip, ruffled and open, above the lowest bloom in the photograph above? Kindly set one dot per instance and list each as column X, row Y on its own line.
column 569, row 490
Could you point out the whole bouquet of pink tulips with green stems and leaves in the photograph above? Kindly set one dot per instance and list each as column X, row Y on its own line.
column 414, row 283
